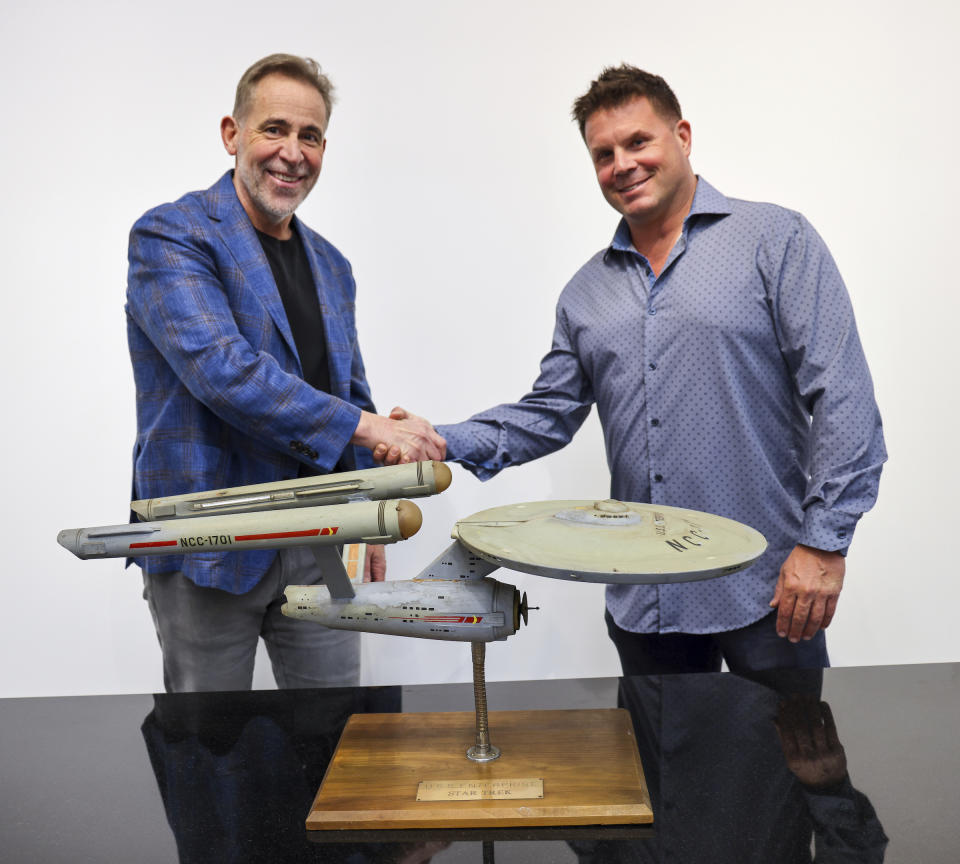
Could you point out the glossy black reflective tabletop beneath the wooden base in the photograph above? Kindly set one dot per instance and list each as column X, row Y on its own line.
column 859, row 765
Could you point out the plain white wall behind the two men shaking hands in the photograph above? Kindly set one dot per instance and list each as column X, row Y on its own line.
column 460, row 190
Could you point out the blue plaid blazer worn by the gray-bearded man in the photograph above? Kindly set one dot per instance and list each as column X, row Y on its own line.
column 220, row 397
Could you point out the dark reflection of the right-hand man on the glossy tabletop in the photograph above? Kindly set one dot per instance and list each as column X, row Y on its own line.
column 742, row 771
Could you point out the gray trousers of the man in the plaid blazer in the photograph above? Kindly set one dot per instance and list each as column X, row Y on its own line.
column 209, row 637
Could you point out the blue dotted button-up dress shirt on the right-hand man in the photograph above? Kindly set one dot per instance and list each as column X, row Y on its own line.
column 734, row 382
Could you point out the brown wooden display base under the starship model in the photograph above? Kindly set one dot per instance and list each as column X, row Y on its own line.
column 587, row 760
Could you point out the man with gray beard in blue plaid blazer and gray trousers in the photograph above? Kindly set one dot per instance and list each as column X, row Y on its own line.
column 248, row 370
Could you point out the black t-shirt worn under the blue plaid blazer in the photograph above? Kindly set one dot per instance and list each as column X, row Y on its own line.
column 291, row 270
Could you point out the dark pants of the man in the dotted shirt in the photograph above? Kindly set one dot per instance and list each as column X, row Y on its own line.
column 754, row 647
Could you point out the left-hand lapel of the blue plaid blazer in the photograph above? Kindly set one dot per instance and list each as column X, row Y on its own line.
column 241, row 239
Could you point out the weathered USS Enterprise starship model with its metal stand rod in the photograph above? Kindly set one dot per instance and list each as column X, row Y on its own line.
column 453, row 597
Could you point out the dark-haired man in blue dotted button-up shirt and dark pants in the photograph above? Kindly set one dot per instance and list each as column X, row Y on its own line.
column 718, row 342
